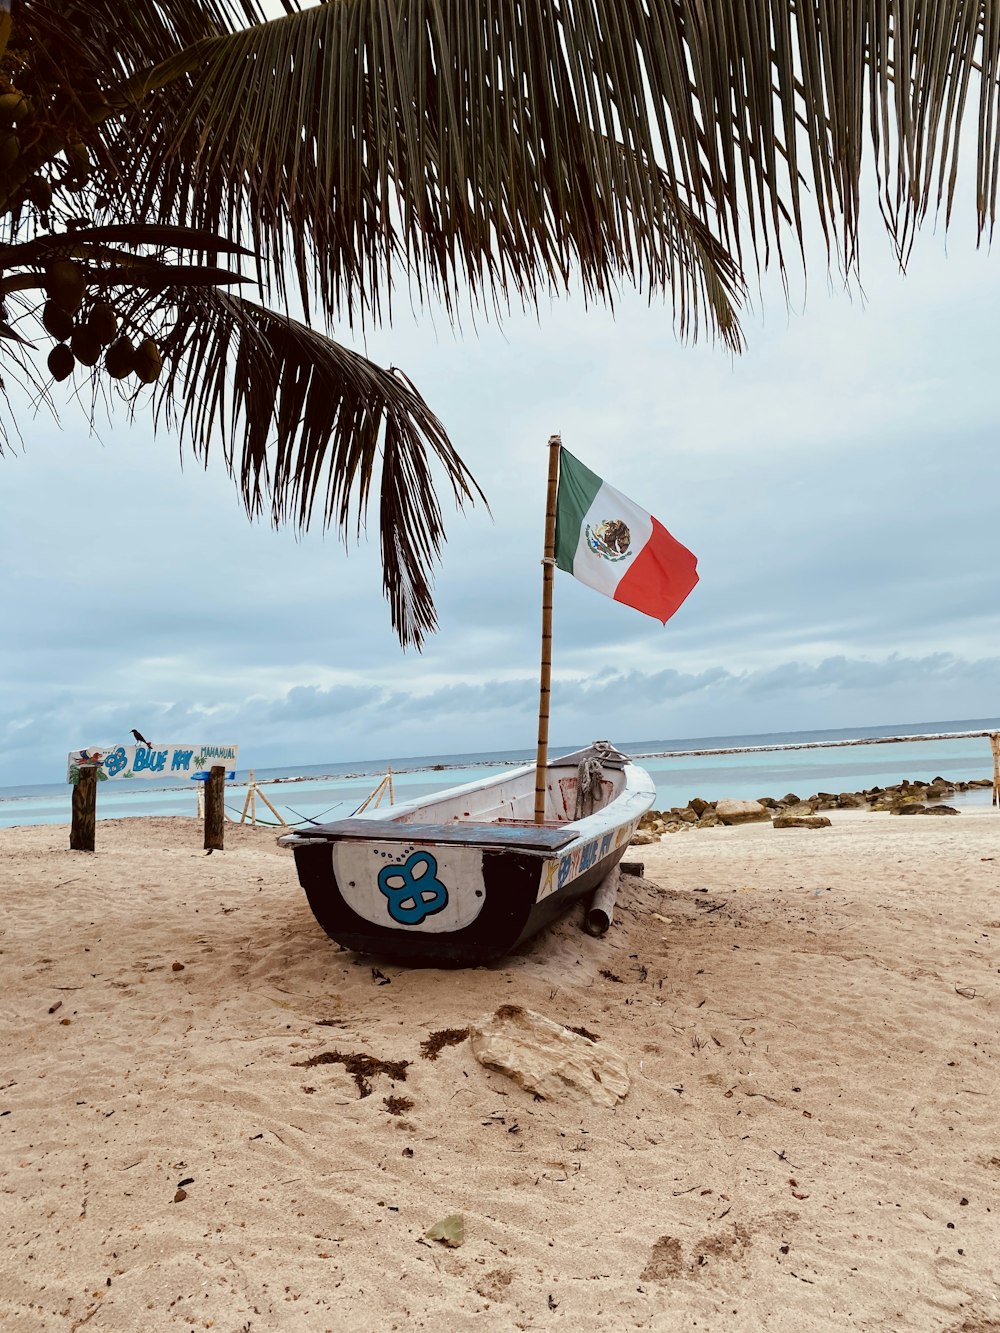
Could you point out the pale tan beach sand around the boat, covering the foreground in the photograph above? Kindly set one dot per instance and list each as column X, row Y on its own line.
column 811, row 1139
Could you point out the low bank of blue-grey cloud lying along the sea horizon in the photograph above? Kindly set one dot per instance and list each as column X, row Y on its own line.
column 343, row 723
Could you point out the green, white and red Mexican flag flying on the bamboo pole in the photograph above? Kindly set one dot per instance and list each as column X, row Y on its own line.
column 610, row 543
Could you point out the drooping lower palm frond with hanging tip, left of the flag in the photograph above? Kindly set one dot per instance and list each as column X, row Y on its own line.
column 305, row 422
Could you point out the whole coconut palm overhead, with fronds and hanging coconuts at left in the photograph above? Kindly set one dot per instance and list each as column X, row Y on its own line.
column 161, row 158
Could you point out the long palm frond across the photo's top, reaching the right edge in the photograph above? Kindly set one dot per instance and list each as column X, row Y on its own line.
column 511, row 145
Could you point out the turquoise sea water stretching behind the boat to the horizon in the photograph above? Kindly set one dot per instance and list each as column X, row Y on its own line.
column 334, row 791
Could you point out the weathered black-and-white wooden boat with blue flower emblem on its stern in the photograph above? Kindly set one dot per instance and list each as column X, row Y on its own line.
column 465, row 876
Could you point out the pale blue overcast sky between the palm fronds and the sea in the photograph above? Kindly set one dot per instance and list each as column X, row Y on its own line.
column 838, row 483
